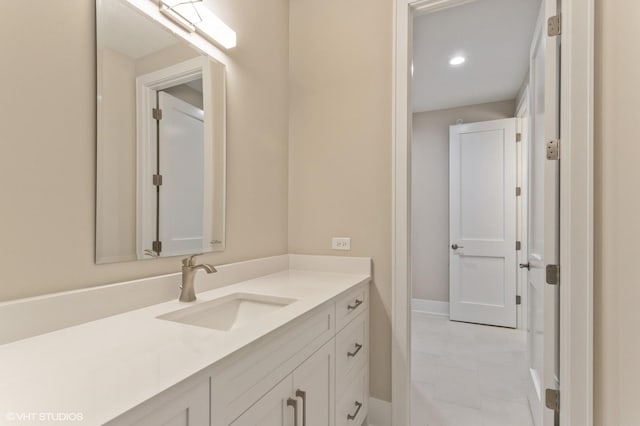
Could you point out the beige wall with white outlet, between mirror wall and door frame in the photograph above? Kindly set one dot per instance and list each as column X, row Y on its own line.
column 340, row 145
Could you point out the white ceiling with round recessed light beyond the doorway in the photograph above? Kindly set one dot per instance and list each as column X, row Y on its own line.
column 493, row 35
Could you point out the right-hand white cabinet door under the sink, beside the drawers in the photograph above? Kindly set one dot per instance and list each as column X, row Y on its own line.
column 313, row 386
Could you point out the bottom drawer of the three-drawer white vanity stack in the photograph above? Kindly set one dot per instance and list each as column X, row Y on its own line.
column 352, row 407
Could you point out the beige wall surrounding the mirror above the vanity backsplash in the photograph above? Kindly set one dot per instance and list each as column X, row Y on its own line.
column 47, row 149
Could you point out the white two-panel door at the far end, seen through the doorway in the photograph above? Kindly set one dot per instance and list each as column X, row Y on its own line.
column 482, row 225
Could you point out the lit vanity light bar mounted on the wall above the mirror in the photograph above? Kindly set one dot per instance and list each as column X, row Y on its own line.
column 195, row 17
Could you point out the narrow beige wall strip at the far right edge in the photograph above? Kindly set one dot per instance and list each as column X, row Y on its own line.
column 617, row 159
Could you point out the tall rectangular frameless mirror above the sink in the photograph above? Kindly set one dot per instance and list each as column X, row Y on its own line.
column 160, row 183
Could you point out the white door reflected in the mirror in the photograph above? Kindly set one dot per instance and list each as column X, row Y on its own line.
column 181, row 160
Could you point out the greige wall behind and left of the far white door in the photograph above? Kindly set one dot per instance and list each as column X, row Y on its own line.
column 430, row 193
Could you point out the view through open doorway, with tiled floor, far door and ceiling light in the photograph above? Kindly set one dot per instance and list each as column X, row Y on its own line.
column 469, row 360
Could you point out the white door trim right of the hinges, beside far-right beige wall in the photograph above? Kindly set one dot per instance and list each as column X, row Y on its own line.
column 576, row 213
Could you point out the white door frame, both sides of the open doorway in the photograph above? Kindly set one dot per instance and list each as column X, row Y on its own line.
column 576, row 204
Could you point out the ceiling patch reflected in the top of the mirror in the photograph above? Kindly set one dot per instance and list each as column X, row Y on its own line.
column 125, row 30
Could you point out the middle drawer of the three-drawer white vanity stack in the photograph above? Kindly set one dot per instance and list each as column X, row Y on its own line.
column 352, row 349
